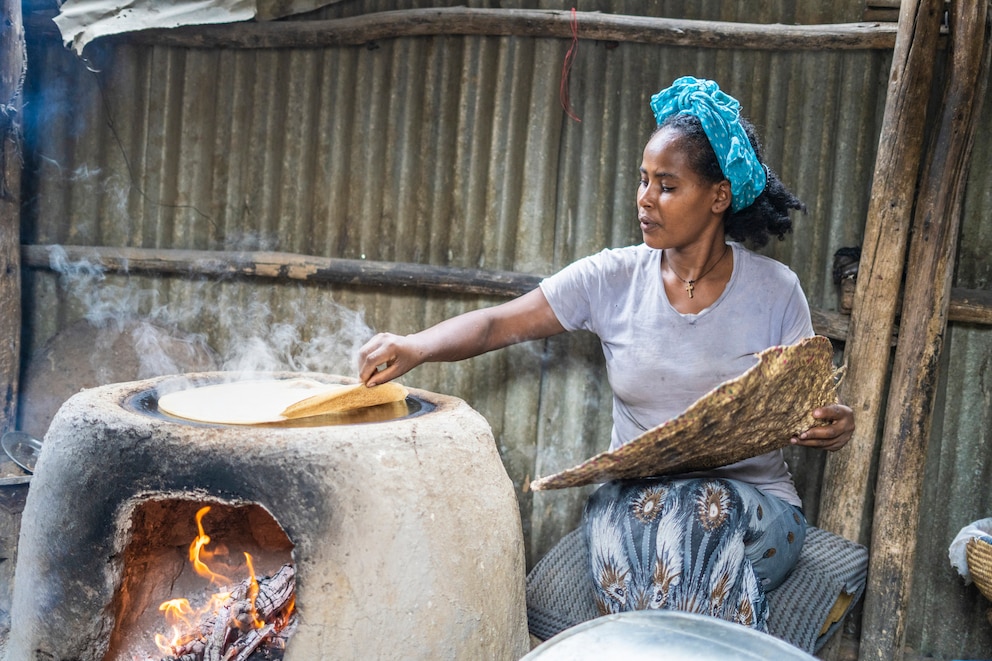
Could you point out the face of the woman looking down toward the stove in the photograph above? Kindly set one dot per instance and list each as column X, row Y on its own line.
column 675, row 205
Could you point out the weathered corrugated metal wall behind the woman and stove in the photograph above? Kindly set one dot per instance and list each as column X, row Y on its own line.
column 455, row 151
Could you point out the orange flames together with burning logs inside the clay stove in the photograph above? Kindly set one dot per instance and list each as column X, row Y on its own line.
column 234, row 623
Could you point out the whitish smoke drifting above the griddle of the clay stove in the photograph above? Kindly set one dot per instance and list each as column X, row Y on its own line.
column 252, row 328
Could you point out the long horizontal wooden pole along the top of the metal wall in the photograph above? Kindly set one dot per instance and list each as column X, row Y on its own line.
column 369, row 28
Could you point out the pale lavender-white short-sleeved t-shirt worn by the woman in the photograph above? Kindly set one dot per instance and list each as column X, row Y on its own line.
column 660, row 361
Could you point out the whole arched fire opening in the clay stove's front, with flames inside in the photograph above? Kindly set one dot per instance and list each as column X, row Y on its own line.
column 202, row 579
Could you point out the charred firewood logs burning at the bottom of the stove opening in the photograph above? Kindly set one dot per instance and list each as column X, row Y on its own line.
column 255, row 614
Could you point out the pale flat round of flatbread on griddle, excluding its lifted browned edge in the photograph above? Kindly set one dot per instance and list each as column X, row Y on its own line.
column 249, row 402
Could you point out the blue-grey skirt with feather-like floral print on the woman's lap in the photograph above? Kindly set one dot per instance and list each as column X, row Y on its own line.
column 702, row 545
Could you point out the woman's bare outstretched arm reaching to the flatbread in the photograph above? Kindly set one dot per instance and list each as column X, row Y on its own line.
column 528, row 317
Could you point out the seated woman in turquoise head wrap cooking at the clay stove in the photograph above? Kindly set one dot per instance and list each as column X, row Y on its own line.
column 676, row 316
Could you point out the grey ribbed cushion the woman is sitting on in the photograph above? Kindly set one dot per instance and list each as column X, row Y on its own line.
column 806, row 610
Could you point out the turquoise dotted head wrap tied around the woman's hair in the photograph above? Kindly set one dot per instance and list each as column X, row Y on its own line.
column 719, row 113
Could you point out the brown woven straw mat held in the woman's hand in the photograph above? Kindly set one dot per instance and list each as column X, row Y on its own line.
column 755, row 413
